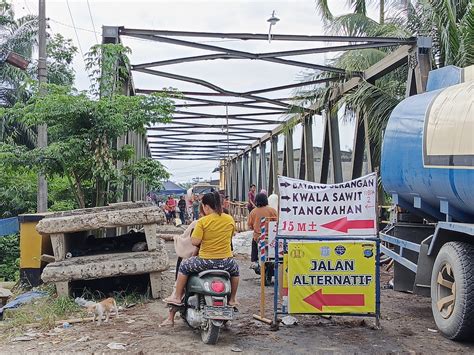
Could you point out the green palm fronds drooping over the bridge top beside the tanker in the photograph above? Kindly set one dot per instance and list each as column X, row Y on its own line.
column 452, row 29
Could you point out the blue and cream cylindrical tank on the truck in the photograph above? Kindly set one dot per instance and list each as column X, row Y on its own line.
column 428, row 148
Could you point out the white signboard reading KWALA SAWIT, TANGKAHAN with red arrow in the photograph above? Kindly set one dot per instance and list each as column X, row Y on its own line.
column 312, row 209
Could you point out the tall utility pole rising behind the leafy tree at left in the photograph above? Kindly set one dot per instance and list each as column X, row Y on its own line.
column 42, row 197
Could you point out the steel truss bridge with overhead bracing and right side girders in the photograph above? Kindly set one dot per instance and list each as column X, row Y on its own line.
column 246, row 143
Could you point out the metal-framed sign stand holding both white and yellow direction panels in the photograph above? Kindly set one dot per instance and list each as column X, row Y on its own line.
column 329, row 232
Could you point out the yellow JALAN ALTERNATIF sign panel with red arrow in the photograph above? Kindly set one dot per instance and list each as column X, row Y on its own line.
column 332, row 277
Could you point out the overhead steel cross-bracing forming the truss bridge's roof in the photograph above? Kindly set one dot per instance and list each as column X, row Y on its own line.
column 238, row 134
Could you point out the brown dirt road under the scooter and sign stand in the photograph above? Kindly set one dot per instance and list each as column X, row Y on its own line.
column 407, row 326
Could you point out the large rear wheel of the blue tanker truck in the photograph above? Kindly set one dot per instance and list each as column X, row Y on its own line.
column 452, row 290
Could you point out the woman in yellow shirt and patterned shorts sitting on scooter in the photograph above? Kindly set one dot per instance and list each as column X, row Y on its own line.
column 213, row 234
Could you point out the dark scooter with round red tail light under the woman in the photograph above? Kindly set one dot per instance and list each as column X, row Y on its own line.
column 205, row 303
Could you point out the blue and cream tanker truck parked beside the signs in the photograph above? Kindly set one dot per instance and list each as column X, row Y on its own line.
column 428, row 169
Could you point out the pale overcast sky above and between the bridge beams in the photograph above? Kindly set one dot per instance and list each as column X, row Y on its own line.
column 297, row 17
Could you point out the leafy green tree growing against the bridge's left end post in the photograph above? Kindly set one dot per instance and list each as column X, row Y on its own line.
column 82, row 131
